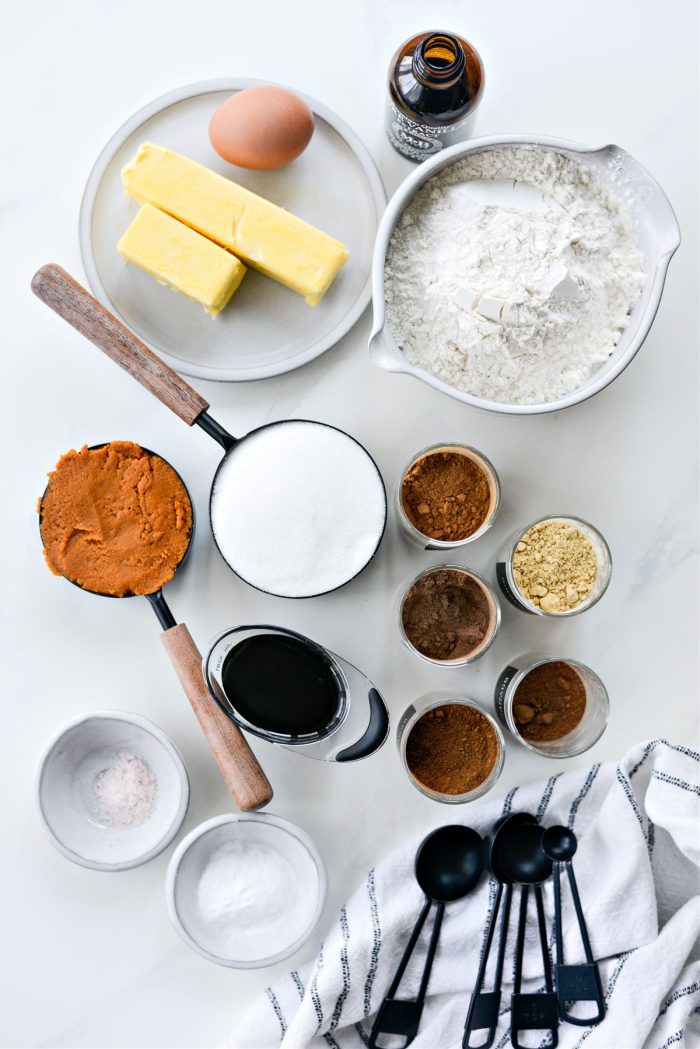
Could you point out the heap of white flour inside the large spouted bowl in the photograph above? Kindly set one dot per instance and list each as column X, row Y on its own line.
column 512, row 274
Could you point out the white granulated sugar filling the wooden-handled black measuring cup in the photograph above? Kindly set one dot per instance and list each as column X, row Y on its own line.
column 299, row 509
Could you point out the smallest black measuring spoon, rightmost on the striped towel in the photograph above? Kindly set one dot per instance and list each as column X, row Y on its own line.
column 575, row 983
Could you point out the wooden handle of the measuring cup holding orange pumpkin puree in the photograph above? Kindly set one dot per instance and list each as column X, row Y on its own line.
column 238, row 763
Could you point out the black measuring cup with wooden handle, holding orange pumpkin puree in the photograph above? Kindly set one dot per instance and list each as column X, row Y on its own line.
column 238, row 763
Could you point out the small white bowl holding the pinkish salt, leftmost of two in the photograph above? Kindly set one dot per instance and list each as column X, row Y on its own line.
column 66, row 782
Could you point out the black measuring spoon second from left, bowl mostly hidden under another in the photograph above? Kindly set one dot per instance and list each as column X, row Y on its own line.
column 484, row 1007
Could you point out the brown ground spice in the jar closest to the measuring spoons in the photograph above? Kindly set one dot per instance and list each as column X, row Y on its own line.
column 452, row 750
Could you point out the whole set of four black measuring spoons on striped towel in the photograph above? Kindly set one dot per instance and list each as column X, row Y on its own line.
column 518, row 851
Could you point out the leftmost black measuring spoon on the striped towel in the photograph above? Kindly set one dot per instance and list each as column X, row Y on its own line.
column 450, row 864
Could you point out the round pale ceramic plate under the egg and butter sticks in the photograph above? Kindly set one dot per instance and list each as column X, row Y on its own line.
column 267, row 330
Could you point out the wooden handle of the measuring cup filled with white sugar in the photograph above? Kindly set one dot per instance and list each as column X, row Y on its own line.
column 73, row 303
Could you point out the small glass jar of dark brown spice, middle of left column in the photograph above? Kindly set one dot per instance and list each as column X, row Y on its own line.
column 449, row 615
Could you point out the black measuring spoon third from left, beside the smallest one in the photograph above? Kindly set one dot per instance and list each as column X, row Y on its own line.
column 524, row 862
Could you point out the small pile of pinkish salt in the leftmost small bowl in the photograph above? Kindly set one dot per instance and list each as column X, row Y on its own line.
column 124, row 791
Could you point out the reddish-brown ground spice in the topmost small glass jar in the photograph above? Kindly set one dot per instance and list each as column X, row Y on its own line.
column 447, row 496
